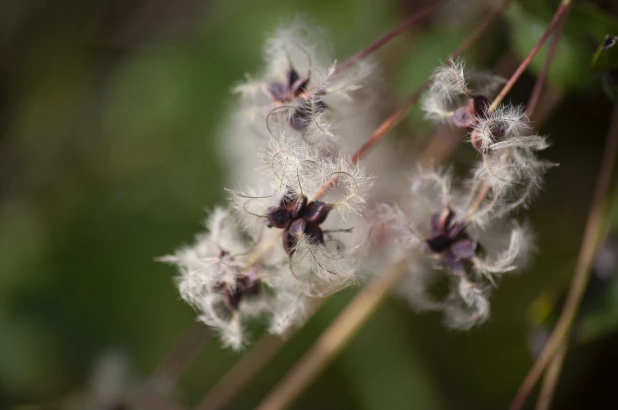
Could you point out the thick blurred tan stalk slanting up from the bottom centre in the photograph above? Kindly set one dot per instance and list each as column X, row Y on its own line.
column 332, row 340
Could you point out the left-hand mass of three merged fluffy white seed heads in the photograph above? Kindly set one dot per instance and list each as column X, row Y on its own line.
column 286, row 235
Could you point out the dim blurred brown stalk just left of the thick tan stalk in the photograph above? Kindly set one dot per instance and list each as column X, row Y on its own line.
column 241, row 373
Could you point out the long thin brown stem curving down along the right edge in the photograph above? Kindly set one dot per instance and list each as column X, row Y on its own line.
column 582, row 268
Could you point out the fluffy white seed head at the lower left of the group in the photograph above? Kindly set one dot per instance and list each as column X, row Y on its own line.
column 221, row 277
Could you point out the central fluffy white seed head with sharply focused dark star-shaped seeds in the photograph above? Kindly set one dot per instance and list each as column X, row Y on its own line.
column 306, row 197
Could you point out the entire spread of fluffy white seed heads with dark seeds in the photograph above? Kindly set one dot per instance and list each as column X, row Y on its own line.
column 301, row 219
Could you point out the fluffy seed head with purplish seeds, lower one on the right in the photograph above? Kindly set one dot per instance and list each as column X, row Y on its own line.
column 440, row 244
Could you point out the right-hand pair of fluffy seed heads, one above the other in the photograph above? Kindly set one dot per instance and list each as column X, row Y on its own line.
column 457, row 236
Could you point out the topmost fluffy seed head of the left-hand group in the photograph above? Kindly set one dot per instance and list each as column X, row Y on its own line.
column 299, row 93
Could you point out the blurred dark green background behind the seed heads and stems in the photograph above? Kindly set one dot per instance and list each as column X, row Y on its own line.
column 110, row 113
